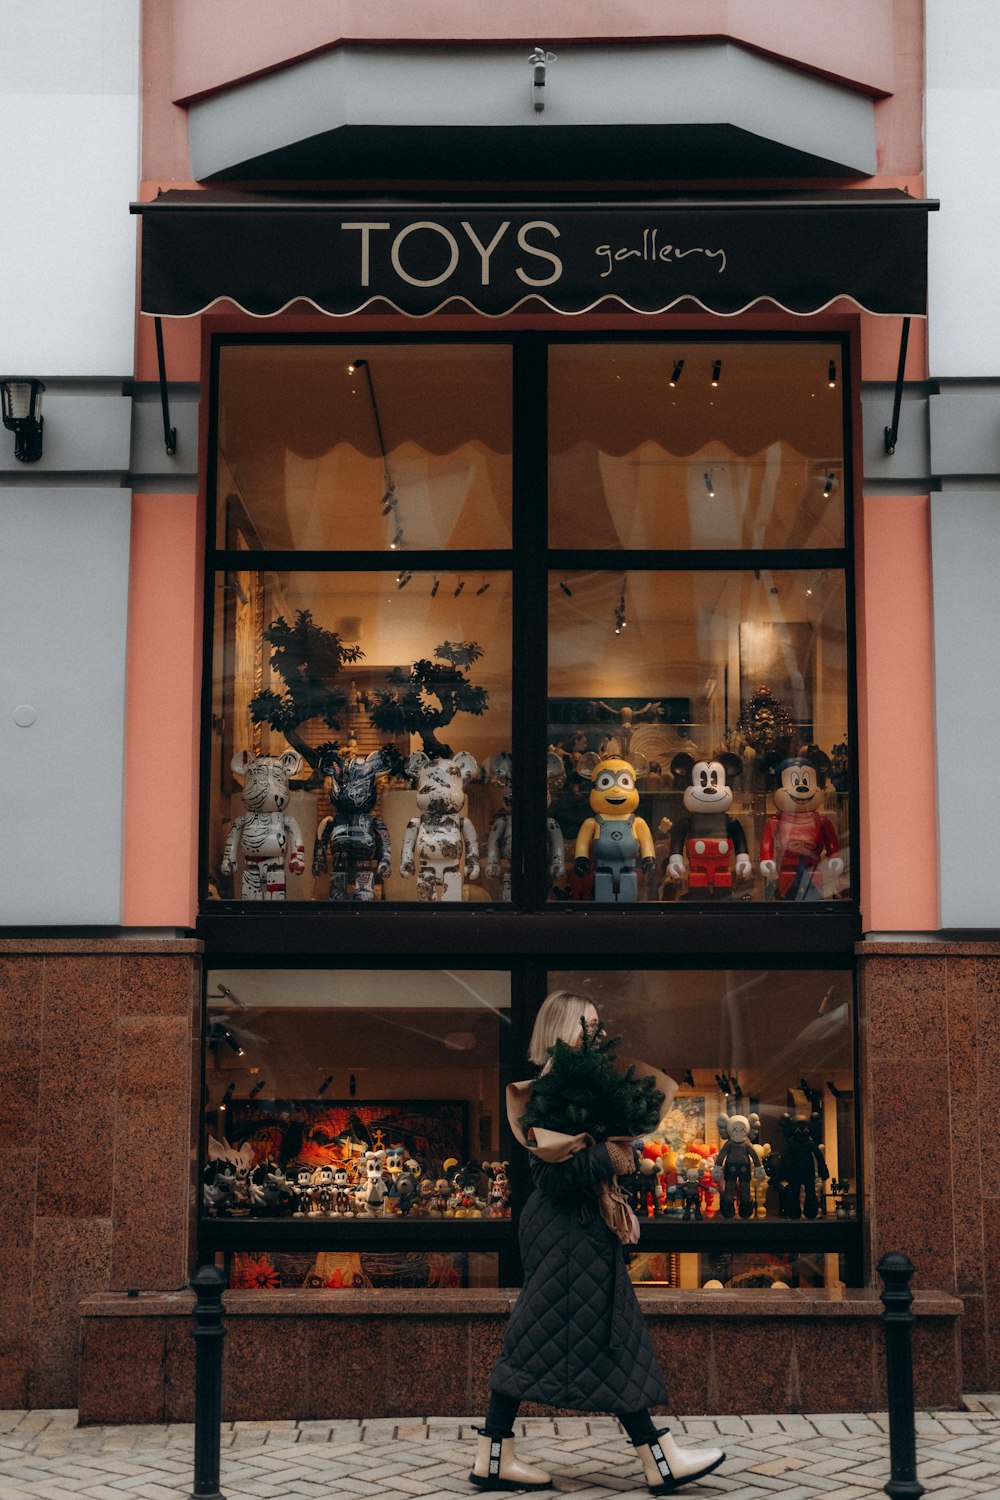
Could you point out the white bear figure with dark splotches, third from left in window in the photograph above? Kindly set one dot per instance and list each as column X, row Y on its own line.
column 440, row 845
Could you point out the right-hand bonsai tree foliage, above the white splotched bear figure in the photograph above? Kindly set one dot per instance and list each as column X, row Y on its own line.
column 427, row 697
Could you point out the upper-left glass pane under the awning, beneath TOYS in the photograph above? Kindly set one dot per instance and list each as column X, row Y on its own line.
column 343, row 448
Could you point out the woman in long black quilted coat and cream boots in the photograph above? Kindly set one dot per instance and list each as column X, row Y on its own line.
column 576, row 1337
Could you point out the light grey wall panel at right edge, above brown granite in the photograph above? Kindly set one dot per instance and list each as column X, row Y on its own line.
column 965, row 533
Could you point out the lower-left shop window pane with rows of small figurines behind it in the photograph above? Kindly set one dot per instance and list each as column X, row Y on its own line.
column 362, row 1099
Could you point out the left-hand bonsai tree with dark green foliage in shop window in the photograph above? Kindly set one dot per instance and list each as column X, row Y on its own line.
column 308, row 659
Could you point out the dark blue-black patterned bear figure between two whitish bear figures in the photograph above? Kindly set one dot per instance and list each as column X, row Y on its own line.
column 355, row 835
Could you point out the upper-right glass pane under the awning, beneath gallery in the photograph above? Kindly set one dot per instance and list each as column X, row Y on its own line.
column 696, row 445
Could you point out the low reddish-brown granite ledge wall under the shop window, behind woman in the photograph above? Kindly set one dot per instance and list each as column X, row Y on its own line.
column 308, row 1355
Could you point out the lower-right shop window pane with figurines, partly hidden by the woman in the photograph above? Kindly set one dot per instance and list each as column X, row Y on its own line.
column 771, row 1046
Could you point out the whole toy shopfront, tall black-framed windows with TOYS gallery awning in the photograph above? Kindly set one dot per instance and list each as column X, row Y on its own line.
column 531, row 500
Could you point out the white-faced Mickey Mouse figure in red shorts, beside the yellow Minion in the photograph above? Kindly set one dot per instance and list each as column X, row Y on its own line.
column 708, row 838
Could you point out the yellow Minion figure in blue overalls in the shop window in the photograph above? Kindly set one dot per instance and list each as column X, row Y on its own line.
column 614, row 835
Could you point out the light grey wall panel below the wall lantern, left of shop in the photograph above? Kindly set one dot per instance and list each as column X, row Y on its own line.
column 64, row 583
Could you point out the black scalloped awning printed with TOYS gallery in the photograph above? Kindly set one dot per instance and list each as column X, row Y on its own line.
column 726, row 254
